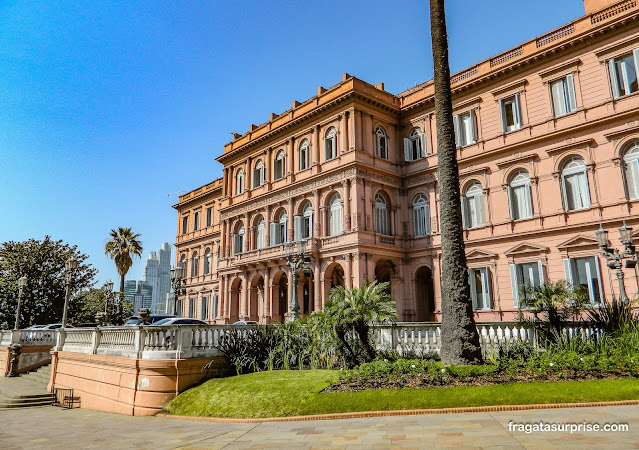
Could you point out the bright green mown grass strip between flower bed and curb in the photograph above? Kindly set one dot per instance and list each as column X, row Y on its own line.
column 297, row 392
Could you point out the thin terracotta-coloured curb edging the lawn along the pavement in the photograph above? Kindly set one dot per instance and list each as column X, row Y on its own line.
column 406, row 412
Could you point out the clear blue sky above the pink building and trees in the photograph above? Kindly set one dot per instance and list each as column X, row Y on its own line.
column 108, row 106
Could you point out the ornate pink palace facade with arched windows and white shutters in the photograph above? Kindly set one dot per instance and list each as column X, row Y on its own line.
column 548, row 149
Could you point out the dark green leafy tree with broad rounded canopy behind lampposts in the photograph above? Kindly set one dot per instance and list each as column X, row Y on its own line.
column 43, row 263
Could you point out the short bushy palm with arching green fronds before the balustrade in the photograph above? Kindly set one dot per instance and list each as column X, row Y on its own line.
column 355, row 309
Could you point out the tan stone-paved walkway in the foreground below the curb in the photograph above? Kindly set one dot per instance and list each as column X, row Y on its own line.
column 50, row 427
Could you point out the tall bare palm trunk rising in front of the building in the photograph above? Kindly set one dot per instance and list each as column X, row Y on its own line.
column 460, row 340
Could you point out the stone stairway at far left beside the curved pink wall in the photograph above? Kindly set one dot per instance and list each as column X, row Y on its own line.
column 29, row 389
